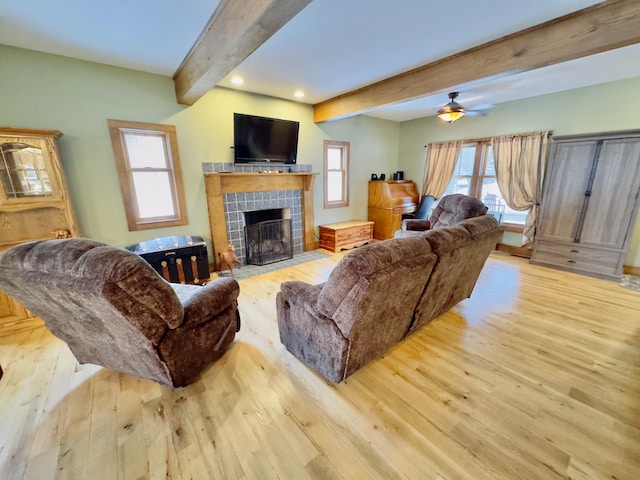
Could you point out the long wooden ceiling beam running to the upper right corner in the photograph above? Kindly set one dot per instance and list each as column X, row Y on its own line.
column 602, row 27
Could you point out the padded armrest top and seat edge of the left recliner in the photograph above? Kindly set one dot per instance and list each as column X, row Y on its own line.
column 201, row 303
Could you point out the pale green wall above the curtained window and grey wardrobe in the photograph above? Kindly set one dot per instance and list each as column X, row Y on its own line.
column 584, row 110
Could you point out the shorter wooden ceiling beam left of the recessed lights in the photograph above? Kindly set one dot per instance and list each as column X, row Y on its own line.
column 234, row 31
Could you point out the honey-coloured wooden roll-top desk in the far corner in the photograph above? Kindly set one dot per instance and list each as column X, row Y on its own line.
column 388, row 200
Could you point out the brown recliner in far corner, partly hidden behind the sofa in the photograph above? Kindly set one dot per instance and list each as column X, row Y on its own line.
column 450, row 210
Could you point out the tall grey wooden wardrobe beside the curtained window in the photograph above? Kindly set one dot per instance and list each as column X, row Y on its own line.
column 590, row 203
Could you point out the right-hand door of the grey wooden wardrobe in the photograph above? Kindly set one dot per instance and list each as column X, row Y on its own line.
column 616, row 185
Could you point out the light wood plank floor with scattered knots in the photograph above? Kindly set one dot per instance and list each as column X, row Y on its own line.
column 536, row 376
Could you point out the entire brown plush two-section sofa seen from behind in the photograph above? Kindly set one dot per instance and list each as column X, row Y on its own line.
column 380, row 293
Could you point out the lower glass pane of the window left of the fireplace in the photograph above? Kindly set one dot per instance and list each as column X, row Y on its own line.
column 153, row 194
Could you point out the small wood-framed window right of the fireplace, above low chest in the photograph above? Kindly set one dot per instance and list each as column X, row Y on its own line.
column 336, row 174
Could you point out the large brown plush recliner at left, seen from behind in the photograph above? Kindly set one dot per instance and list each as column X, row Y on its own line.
column 113, row 309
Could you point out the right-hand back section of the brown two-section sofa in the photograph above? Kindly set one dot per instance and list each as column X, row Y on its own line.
column 462, row 251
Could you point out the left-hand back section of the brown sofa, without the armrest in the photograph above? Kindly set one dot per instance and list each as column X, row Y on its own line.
column 372, row 292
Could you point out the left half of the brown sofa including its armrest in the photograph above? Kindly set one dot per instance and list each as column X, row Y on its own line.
column 364, row 308
